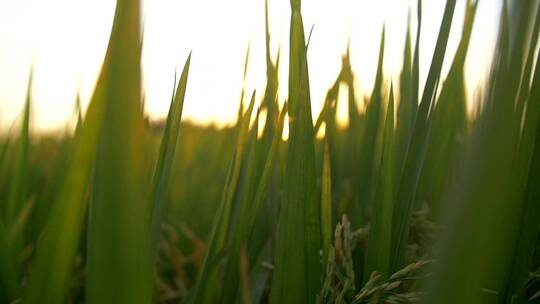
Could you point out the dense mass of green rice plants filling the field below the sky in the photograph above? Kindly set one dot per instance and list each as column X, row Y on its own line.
column 415, row 200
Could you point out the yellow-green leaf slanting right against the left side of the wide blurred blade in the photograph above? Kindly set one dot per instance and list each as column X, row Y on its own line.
column 55, row 253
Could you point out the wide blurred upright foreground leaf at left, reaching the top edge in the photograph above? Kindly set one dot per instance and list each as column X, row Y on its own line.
column 119, row 263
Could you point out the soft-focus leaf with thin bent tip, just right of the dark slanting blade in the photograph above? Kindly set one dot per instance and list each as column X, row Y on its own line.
column 448, row 127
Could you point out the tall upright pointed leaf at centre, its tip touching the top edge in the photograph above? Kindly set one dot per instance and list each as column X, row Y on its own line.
column 296, row 277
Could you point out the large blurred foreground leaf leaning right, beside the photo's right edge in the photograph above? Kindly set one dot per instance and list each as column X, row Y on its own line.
column 483, row 225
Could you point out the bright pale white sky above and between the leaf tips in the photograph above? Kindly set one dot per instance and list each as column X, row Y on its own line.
column 65, row 41
